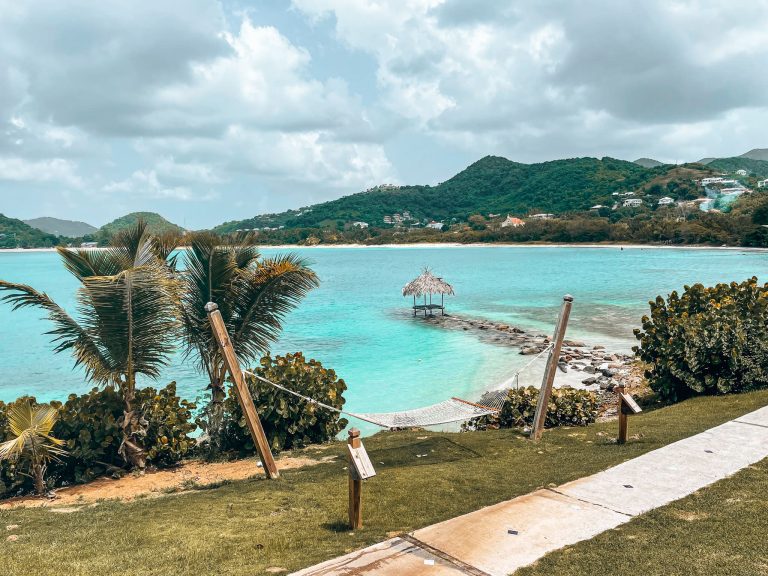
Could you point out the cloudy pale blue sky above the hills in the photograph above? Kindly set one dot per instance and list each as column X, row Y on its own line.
column 209, row 111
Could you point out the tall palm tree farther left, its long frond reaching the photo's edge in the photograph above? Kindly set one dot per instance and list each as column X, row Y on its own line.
column 128, row 303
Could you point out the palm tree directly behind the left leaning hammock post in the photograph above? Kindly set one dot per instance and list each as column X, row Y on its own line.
column 253, row 295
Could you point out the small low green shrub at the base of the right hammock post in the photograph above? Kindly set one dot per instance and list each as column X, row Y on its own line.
column 566, row 407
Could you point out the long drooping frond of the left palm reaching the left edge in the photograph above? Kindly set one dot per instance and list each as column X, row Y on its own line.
column 67, row 333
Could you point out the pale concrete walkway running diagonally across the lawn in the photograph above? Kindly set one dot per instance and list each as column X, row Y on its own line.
column 499, row 539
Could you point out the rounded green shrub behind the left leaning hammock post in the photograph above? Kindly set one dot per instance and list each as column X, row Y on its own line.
column 289, row 422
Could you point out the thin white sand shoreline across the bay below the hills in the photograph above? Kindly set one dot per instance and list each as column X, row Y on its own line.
column 432, row 245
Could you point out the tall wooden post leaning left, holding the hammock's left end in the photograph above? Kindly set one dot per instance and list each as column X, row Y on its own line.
column 241, row 390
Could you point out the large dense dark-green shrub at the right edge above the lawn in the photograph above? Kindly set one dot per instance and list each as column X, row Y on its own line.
column 707, row 341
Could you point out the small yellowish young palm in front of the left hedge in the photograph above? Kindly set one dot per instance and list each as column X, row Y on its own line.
column 32, row 440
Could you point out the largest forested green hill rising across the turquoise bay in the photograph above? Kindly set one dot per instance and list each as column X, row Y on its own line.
column 490, row 185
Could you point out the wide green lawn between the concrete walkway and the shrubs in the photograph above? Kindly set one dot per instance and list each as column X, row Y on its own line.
column 249, row 526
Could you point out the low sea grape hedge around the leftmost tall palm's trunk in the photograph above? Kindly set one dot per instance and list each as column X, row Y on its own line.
column 88, row 423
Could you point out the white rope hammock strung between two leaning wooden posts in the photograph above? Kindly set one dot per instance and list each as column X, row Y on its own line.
column 445, row 412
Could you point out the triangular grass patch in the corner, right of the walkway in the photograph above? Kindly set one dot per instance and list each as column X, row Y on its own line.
column 720, row 530
